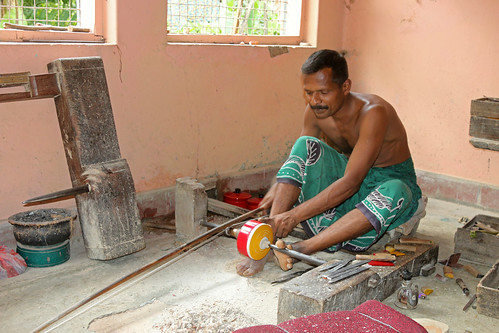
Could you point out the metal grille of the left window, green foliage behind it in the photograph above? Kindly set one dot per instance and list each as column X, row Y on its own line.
column 59, row 13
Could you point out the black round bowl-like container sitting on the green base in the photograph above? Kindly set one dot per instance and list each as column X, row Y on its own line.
column 42, row 227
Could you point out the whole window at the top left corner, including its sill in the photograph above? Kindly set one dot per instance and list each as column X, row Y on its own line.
column 43, row 20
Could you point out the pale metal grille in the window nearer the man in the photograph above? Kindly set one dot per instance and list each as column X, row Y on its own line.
column 228, row 17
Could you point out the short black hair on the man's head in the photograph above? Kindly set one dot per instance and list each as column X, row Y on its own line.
column 327, row 59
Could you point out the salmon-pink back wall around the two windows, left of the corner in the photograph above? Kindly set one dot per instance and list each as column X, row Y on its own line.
column 180, row 110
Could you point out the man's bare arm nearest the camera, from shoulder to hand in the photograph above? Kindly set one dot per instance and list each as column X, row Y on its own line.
column 372, row 130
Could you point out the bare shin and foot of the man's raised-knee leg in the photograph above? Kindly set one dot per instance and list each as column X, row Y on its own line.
column 285, row 197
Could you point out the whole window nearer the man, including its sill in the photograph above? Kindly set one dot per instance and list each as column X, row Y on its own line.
column 240, row 20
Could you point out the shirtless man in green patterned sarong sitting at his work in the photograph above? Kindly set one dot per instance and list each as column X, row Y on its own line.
column 346, row 197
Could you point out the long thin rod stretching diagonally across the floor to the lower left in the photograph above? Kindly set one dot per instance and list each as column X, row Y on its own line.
column 167, row 257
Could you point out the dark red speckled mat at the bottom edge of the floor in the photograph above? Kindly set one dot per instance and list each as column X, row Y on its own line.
column 371, row 316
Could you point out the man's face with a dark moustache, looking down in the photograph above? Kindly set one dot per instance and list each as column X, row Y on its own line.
column 323, row 95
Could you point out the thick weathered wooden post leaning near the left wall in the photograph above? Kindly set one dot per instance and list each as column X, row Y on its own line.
column 108, row 213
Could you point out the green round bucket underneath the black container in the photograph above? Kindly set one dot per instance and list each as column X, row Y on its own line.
column 44, row 256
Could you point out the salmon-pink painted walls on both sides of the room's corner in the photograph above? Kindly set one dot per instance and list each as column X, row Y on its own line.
column 198, row 110
